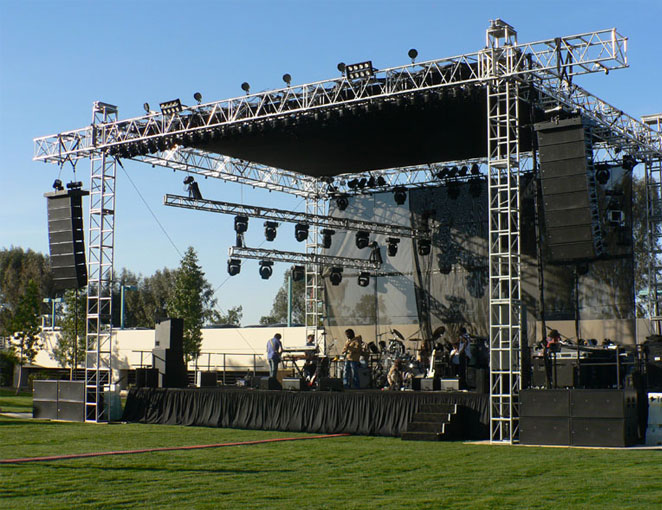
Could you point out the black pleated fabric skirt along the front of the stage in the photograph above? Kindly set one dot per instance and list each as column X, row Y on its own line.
column 363, row 412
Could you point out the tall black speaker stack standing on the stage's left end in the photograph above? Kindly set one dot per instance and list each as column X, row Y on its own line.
column 168, row 354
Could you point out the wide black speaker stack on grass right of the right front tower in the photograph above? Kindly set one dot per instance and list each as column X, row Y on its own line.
column 578, row 417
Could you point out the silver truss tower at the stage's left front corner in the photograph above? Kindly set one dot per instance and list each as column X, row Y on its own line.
column 98, row 343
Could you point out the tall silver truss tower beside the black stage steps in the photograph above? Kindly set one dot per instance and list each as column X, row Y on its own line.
column 497, row 64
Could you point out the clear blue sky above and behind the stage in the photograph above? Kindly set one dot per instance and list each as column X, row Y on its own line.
column 57, row 57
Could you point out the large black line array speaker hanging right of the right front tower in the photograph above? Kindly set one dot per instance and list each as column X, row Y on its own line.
column 571, row 209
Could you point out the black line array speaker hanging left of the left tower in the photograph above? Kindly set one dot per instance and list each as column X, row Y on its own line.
column 66, row 239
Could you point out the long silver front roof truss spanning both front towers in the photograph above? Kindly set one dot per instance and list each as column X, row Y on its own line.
column 563, row 57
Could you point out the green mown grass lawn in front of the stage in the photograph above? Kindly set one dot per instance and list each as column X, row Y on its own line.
column 344, row 473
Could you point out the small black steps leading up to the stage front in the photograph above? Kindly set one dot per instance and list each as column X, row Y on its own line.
column 434, row 422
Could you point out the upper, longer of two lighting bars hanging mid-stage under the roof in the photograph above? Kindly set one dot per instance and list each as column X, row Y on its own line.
column 293, row 217
